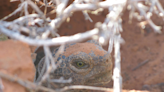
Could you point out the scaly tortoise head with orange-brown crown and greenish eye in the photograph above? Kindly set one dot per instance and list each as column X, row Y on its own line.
column 86, row 63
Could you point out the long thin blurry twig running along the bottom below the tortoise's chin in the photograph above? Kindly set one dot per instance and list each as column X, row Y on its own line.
column 35, row 87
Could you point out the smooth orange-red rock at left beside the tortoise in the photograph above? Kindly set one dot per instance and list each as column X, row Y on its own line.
column 15, row 60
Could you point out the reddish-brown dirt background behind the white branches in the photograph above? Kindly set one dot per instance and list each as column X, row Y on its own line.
column 141, row 46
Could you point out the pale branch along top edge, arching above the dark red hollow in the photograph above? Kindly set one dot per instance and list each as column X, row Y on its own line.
column 79, row 7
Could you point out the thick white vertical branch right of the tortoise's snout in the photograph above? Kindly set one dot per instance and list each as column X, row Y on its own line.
column 113, row 22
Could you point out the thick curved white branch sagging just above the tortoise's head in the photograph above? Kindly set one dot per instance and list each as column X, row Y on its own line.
column 49, row 42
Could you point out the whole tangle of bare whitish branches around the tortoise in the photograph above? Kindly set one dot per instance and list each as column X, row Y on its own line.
column 39, row 27
